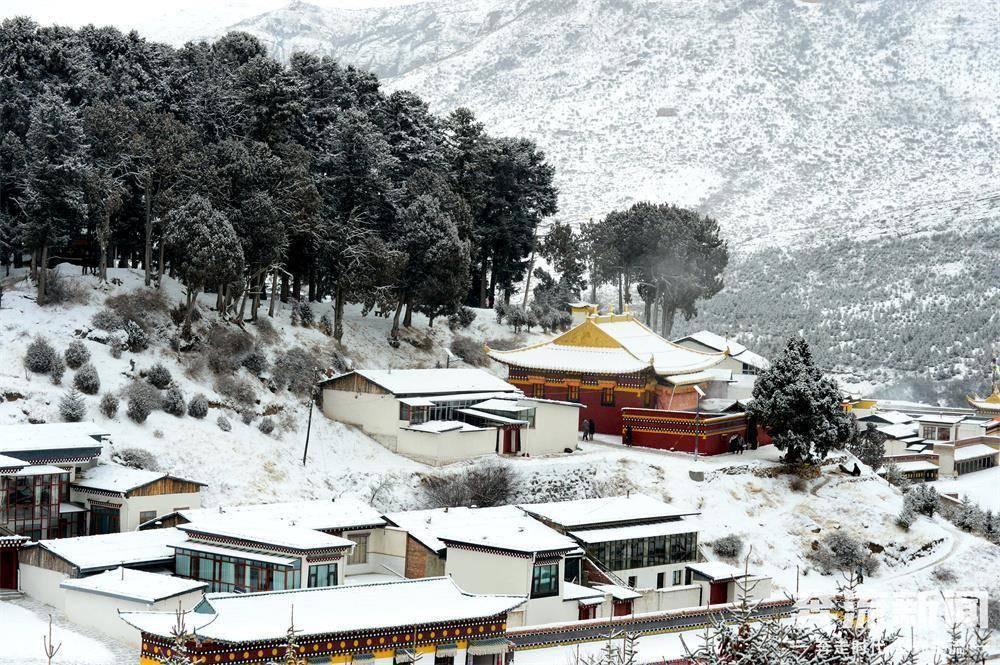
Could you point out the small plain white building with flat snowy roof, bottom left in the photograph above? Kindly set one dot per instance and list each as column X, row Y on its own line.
column 94, row 602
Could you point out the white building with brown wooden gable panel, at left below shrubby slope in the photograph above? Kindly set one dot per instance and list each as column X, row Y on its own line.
column 120, row 498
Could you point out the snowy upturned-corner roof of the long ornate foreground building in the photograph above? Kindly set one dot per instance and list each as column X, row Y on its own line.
column 330, row 610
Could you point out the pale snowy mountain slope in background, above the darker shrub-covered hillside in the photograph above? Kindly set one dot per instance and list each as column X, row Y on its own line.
column 781, row 118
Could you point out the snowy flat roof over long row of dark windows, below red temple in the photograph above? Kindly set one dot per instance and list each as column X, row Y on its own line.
column 606, row 510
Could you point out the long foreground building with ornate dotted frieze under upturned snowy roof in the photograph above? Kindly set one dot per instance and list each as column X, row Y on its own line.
column 426, row 622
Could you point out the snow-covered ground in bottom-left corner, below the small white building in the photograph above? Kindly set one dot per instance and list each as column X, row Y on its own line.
column 24, row 622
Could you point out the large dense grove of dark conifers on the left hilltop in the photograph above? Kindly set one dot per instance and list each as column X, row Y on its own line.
column 250, row 178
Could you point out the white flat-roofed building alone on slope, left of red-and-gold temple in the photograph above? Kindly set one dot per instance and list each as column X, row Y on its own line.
column 440, row 416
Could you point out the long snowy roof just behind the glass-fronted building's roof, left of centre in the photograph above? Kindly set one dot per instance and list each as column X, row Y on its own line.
column 343, row 514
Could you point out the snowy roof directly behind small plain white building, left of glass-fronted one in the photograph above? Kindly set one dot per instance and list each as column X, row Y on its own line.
column 115, row 549
